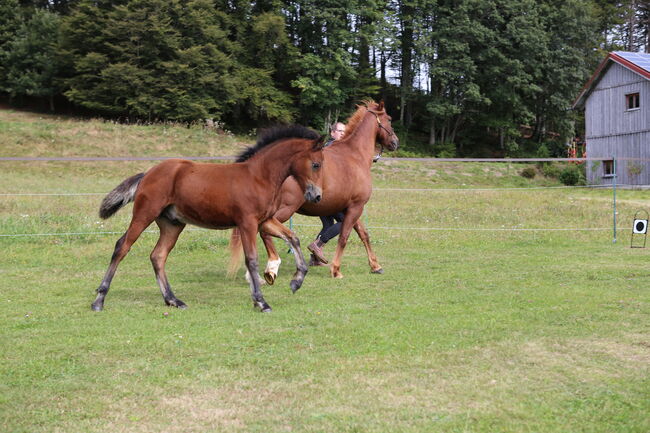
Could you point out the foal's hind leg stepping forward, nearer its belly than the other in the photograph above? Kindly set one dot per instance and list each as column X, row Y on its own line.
column 169, row 232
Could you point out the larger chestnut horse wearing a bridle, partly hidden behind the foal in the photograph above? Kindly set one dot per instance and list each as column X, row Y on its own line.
column 347, row 184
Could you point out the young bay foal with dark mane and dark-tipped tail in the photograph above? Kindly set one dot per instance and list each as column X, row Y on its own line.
column 218, row 196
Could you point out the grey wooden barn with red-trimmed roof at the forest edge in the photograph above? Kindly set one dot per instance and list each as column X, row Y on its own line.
column 616, row 101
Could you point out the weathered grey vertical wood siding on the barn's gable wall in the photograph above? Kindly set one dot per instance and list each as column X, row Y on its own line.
column 612, row 130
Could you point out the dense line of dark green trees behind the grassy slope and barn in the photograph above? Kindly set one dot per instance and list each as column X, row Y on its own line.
column 459, row 77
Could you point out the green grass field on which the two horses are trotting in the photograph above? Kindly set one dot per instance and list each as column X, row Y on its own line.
column 474, row 327
